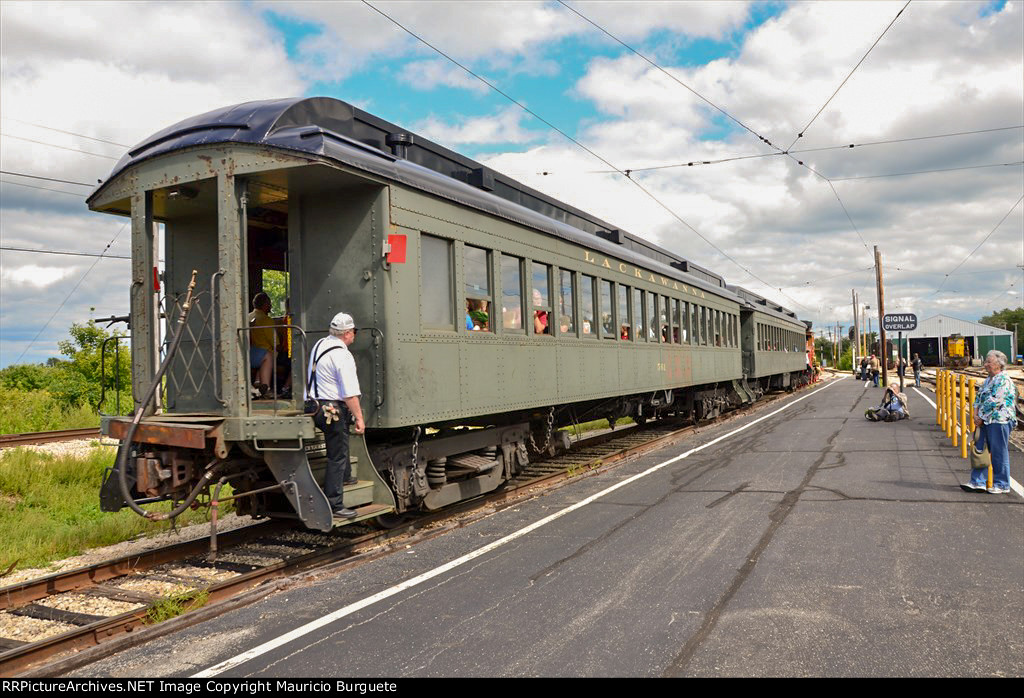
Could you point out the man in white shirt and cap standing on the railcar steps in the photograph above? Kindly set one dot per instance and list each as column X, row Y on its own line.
column 333, row 390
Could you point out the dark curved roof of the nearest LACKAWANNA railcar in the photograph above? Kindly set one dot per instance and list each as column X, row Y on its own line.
column 339, row 132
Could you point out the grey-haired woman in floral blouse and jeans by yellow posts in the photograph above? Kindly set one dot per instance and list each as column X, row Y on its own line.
column 995, row 413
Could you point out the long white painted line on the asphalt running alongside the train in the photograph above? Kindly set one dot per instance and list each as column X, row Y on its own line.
column 409, row 584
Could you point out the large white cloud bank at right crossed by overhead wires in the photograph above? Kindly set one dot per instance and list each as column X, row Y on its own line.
column 942, row 69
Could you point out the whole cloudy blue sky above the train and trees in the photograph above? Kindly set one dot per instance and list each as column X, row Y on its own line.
column 636, row 85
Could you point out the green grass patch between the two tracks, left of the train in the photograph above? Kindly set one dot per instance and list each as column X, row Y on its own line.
column 50, row 509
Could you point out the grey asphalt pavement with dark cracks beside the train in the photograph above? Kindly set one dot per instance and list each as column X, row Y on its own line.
column 800, row 540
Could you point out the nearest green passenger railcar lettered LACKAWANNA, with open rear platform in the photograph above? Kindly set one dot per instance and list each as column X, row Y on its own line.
column 489, row 314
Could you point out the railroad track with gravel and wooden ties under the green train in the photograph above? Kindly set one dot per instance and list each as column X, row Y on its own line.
column 113, row 602
